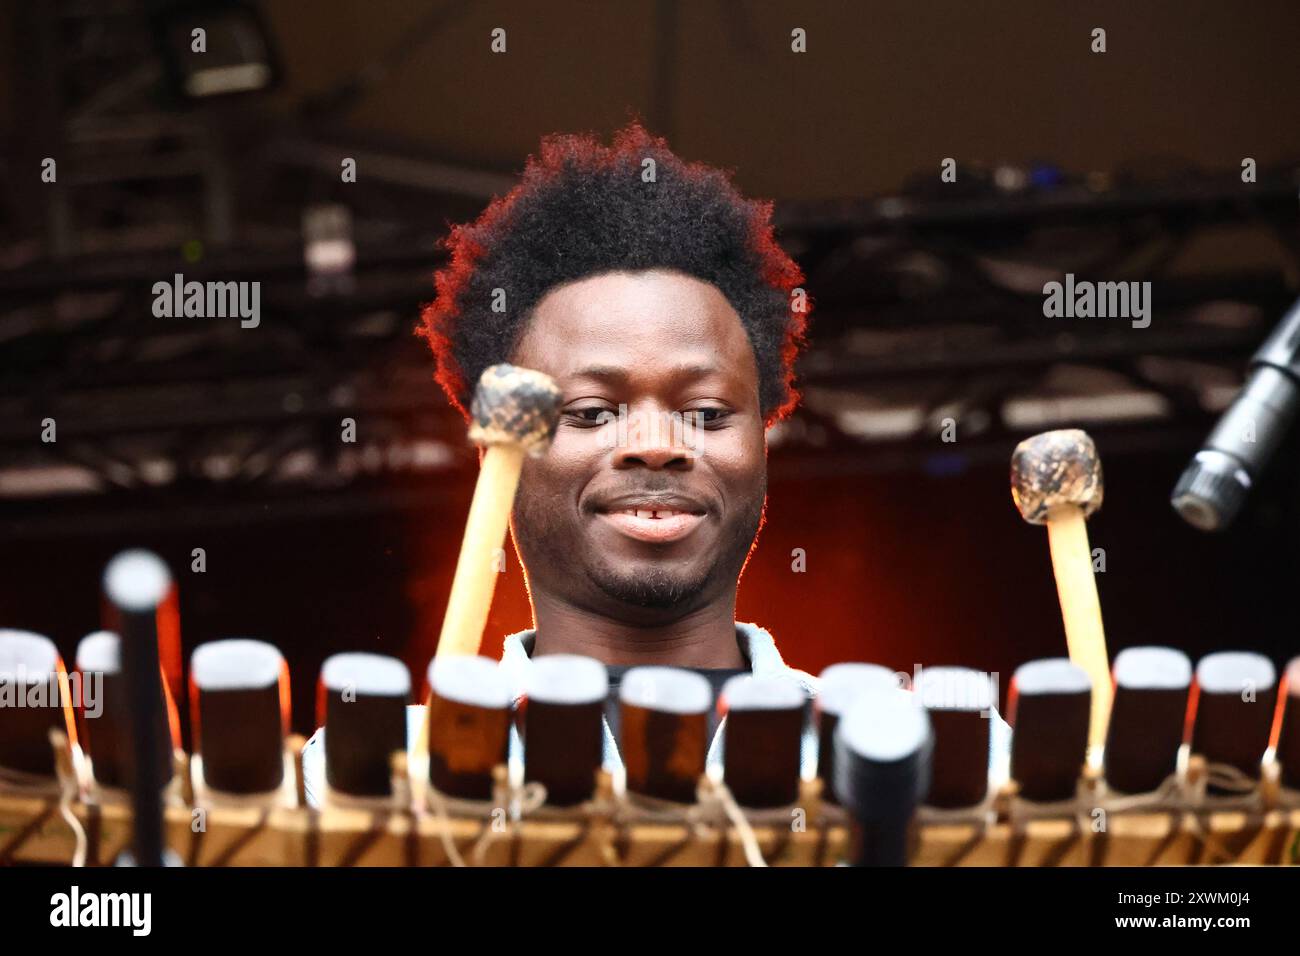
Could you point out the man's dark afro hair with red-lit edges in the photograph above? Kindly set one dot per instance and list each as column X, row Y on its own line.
column 583, row 209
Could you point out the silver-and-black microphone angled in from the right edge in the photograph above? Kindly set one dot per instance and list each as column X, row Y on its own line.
column 1214, row 487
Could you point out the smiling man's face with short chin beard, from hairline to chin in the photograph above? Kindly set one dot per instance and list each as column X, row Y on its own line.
column 660, row 419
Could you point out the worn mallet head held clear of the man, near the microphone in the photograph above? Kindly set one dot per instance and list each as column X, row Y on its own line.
column 1056, row 469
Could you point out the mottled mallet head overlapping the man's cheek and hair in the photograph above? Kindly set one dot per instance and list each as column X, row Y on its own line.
column 515, row 406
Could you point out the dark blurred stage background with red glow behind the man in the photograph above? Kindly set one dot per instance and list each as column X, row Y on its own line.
column 183, row 434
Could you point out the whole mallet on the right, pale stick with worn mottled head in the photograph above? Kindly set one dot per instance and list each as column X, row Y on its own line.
column 1056, row 481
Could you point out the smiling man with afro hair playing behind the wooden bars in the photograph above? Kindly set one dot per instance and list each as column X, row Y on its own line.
column 657, row 299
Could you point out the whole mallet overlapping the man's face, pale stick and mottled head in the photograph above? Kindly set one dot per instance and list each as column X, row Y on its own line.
column 515, row 412
